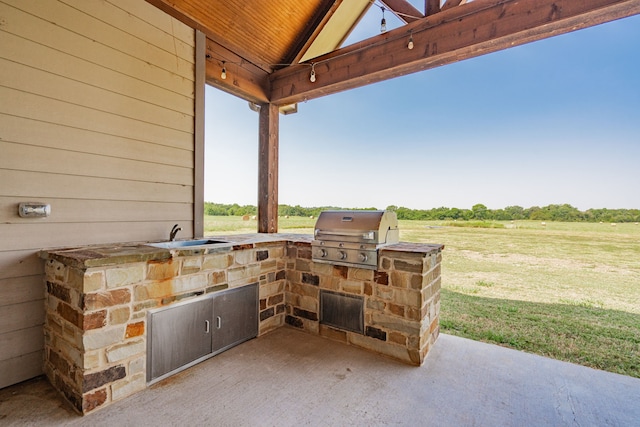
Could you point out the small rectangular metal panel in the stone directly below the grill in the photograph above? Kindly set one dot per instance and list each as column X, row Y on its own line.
column 342, row 311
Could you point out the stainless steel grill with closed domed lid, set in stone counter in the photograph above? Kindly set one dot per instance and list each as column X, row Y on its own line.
column 352, row 238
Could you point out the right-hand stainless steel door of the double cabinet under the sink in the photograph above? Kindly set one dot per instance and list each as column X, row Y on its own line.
column 235, row 316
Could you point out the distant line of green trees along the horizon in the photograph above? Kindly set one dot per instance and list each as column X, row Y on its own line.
column 479, row 211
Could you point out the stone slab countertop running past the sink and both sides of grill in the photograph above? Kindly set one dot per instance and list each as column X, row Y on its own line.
column 112, row 254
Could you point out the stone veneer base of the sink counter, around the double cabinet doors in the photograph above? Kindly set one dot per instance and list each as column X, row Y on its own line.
column 95, row 325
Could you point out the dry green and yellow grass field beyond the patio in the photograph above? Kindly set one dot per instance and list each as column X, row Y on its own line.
column 570, row 291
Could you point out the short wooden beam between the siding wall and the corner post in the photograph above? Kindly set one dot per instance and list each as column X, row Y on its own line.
column 243, row 78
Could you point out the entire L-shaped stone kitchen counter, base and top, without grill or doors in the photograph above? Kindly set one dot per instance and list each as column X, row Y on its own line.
column 99, row 300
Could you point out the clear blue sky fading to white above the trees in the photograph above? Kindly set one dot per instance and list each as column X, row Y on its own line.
column 554, row 121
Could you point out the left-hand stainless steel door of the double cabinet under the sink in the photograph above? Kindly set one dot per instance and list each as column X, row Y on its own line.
column 178, row 336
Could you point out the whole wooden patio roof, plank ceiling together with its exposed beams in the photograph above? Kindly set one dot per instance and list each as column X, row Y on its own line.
column 261, row 43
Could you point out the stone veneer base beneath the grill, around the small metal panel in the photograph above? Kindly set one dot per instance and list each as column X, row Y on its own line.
column 401, row 298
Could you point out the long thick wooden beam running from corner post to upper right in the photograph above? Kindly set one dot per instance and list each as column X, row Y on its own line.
column 462, row 32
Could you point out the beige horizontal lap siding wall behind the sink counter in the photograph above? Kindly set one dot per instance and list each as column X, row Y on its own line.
column 96, row 119
